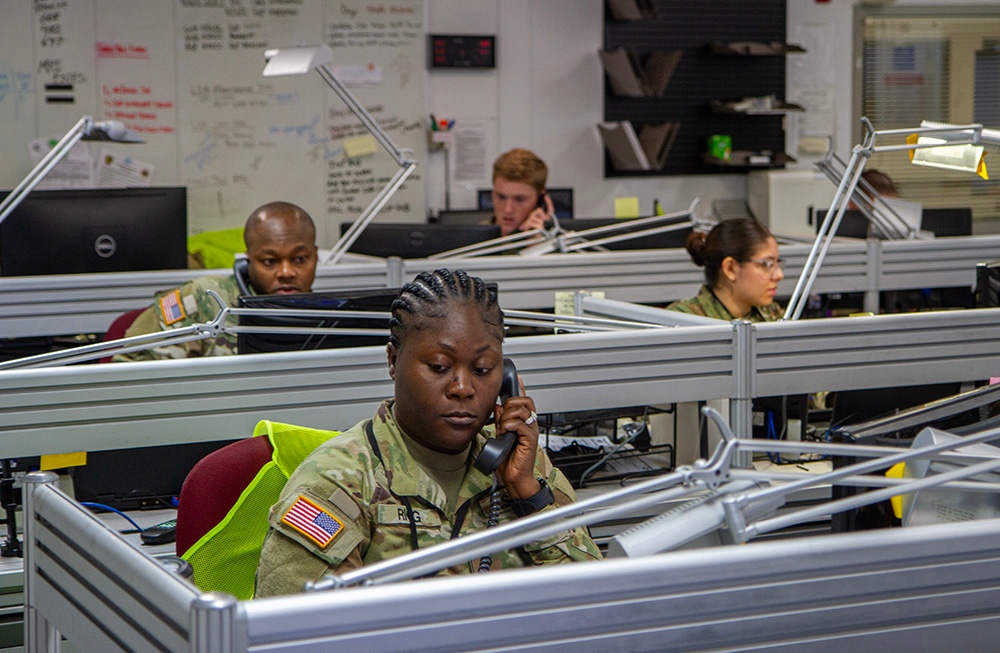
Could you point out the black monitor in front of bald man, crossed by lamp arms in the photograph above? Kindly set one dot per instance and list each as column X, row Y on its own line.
column 376, row 300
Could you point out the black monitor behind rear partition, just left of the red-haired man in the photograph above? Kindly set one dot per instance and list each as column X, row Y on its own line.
column 418, row 240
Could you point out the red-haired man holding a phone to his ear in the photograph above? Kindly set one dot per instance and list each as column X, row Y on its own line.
column 520, row 202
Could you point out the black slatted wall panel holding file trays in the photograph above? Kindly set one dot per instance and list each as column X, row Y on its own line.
column 703, row 75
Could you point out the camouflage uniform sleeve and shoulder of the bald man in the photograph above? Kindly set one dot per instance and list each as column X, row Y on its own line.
column 181, row 307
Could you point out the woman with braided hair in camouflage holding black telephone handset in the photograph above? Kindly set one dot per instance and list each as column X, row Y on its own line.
column 405, row 479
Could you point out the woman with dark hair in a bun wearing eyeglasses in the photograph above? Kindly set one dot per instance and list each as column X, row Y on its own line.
column 742, row 272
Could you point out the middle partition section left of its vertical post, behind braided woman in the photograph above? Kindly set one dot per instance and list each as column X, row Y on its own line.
column 114, row 406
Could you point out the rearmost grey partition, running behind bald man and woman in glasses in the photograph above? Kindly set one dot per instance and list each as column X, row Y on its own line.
column 71, row 304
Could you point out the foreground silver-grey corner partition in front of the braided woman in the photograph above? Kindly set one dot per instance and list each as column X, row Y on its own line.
column 922, row 588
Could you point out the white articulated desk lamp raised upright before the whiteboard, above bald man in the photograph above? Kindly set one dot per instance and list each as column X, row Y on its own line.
column 300, row 60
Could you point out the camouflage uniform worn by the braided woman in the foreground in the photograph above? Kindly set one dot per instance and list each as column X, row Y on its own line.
column 363, row 501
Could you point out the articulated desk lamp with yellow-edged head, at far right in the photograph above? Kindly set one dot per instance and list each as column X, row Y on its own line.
column 938, row 145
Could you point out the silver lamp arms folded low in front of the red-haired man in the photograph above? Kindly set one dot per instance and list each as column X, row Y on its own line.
column 537, row 242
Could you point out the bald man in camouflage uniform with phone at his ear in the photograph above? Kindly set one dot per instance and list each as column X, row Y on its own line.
column 281, row 255
